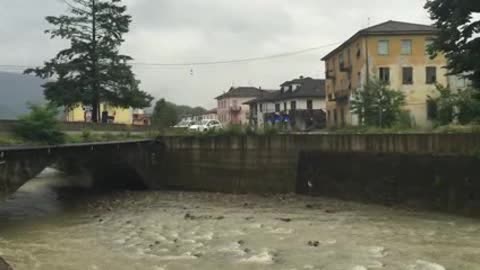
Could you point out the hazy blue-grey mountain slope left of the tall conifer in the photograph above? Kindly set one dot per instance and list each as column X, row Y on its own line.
column 16, row 90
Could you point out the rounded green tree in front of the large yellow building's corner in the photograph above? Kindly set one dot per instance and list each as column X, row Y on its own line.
column 377, row 105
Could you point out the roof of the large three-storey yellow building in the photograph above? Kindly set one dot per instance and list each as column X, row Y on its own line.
column 389, row 28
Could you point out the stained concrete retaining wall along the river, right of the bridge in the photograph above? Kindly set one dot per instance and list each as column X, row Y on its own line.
column 431, row 171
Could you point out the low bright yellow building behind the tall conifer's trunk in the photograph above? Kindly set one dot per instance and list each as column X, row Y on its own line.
column 115, row 115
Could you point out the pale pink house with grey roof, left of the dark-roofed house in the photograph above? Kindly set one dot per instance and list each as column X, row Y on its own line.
column 231, row 108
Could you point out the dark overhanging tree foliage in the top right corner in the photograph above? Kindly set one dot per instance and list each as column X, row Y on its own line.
column 458, row 36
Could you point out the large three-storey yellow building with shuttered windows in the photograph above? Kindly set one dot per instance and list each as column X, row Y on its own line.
column 392, row 51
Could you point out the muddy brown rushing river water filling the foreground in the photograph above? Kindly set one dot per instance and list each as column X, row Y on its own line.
column 46, row 228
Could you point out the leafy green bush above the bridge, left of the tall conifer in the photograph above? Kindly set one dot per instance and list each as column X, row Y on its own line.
column 40, row 125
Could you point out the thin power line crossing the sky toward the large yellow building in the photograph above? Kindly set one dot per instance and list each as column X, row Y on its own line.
column 209, row 63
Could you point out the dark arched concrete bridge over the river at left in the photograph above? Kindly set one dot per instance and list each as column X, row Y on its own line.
column 113, row 164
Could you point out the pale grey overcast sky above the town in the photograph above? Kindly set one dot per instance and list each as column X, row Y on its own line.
column 179, row 31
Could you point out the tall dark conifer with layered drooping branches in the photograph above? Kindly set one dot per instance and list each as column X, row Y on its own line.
column 92, row 70
